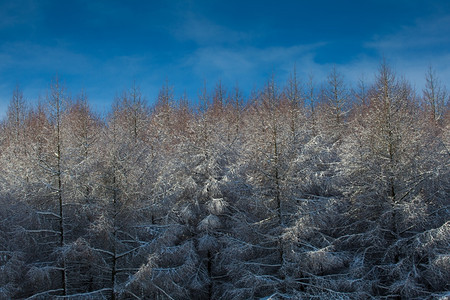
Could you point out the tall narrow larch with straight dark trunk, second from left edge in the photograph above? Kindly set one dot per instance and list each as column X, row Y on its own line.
column 47, row 223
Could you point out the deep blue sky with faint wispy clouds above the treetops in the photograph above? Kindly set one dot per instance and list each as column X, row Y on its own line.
column 105, row 46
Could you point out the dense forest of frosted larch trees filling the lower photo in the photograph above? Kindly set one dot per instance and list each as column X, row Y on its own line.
column 302, row 190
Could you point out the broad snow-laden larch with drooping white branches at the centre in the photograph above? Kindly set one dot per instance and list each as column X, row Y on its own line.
column 190, row 188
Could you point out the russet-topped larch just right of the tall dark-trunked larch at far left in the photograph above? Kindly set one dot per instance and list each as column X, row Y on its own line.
column 83, row 188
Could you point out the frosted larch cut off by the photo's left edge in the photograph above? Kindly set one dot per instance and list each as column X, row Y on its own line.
column 14, row 170
